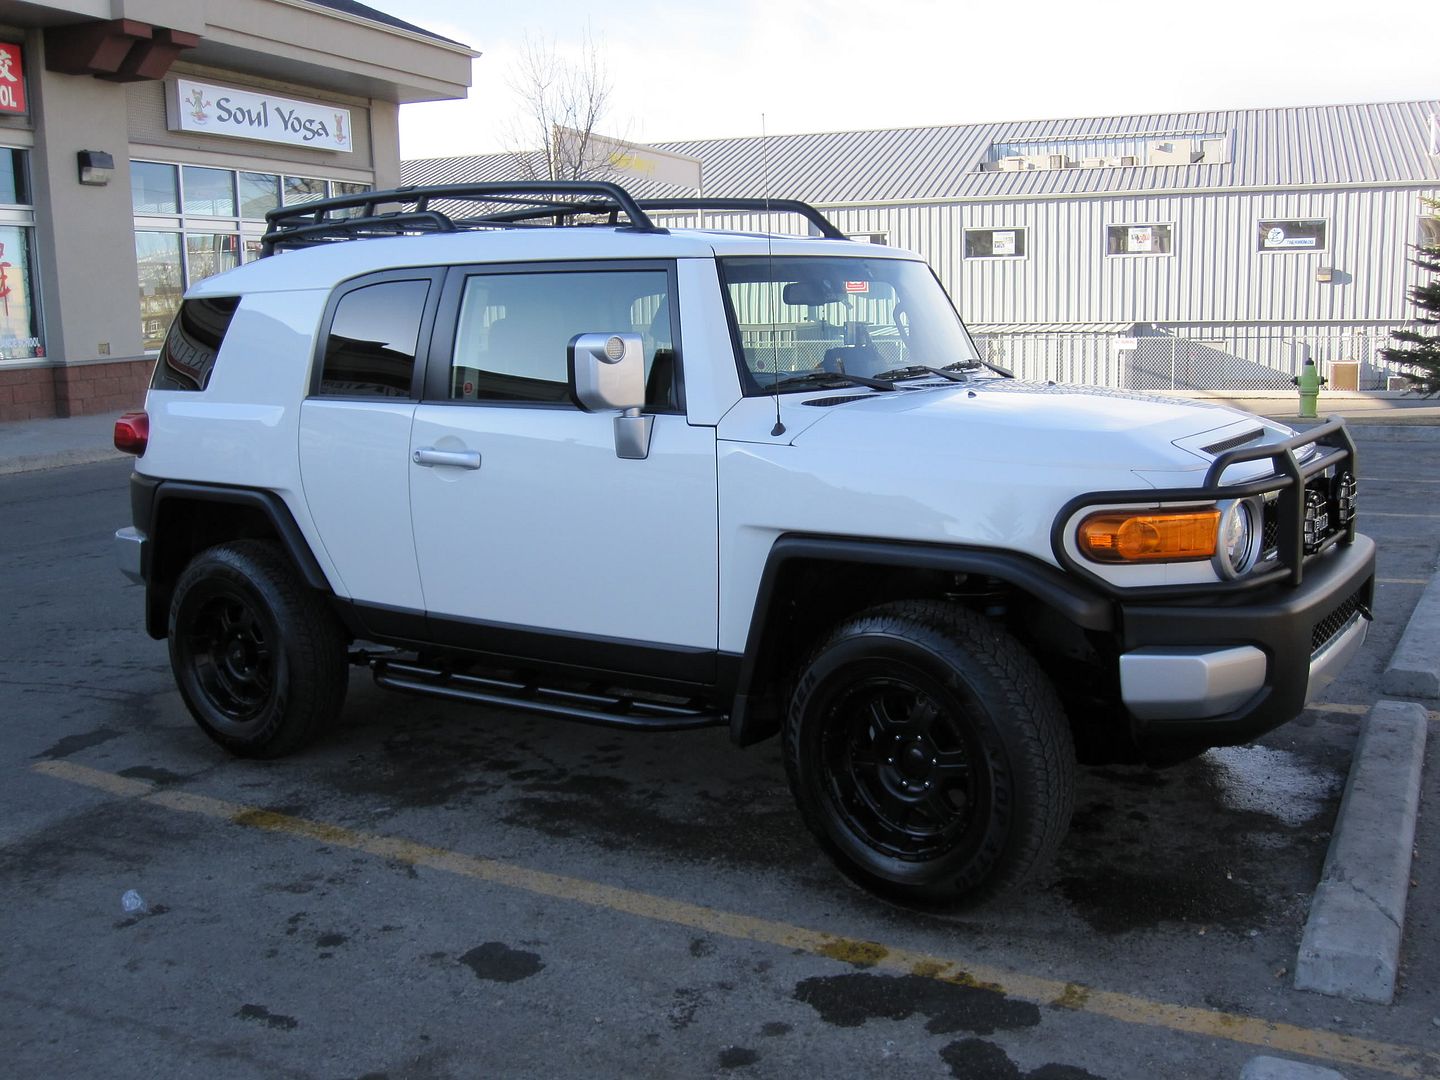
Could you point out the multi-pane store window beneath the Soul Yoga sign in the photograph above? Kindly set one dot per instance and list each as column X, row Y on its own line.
column 194, row 222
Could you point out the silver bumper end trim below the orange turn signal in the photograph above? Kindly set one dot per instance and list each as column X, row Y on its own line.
column 1190, row 682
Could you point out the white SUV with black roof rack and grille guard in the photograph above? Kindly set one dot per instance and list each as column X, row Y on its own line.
column 558, row 459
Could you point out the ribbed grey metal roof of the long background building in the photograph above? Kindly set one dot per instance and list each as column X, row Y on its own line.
column 1275, row 148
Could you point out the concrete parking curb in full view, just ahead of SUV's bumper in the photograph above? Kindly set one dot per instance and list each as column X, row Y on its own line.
column 1351, row 941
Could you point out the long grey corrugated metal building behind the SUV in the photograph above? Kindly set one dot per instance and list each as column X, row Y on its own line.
column 1207, row 251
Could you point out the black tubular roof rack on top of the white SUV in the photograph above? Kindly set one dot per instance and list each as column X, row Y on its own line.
column 529, row 204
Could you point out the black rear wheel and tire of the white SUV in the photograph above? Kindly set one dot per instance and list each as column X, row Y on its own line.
column 258, row 657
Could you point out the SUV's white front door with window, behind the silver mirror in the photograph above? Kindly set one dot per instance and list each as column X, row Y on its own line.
column 534, row 538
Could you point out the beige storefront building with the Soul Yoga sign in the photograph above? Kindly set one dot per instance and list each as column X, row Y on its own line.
column 142, row 143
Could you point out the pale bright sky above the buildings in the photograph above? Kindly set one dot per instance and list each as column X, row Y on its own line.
column 686, row 70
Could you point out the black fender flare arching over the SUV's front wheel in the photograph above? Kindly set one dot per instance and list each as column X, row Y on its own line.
column 1078, row 601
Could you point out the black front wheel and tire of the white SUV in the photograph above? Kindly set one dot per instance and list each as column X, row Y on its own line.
column 930, row 755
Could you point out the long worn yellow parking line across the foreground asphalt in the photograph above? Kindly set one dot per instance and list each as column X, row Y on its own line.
column 1288, row 1039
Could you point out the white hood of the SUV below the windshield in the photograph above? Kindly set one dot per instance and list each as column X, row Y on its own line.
column 1006, row 420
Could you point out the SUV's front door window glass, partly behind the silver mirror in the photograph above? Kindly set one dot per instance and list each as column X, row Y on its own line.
column 515, row 330
